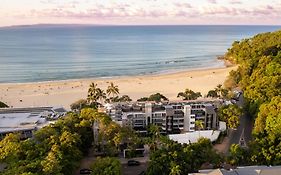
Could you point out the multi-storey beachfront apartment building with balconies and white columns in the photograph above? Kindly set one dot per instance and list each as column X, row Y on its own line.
column 177, row 117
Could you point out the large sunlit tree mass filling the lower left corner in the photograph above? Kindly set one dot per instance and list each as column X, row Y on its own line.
column 58, row 148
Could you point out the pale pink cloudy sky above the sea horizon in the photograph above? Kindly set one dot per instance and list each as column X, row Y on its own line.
column 140, row 12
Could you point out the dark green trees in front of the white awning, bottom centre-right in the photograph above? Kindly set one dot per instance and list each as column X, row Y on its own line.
column 172, row 158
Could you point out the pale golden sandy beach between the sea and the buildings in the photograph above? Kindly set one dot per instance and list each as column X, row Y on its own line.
column 63, row 93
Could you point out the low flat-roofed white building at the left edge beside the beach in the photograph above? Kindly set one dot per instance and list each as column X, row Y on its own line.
column 27, row 120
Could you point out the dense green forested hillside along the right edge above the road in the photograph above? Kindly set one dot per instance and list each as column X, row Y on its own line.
column 259, row 76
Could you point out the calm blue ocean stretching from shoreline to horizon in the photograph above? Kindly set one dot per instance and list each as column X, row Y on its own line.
column 61, row 52
